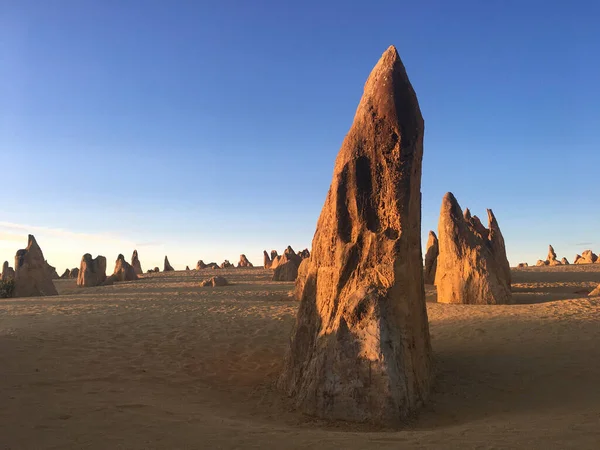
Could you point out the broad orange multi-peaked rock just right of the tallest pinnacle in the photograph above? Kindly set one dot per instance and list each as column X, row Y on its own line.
column 472, row 266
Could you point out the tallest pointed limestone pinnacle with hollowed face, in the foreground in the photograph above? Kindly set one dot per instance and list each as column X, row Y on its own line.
column 360, row 349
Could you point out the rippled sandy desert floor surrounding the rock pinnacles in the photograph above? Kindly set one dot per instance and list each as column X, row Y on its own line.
column 160, row 363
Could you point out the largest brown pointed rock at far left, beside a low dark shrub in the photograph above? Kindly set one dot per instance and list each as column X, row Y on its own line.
column 32, row 277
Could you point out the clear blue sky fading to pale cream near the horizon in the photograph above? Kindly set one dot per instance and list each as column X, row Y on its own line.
column 203, row 130
